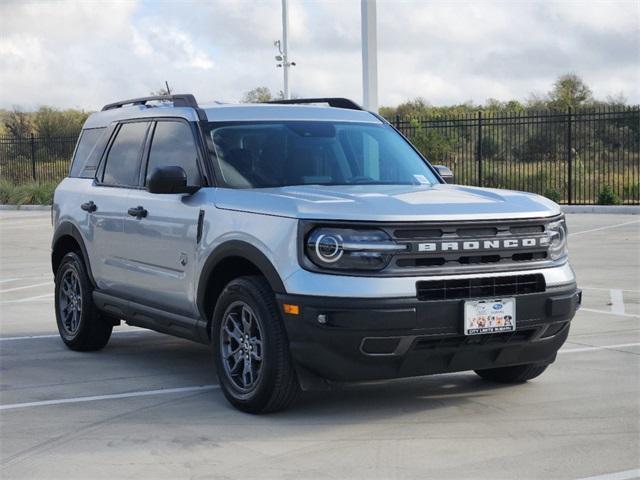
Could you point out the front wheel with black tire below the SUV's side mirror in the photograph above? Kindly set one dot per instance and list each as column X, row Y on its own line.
column 275, row 383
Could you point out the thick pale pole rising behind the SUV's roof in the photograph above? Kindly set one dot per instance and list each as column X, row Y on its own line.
column 369, row 55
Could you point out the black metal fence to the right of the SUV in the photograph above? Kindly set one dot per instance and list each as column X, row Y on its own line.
column 576, row 157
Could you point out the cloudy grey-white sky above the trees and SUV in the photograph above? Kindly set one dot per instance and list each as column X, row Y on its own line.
column 87, row 53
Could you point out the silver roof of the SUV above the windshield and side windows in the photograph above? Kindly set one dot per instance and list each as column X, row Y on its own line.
column 220, row 112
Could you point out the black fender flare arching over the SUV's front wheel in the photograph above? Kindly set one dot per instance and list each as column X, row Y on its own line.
column 242, row 249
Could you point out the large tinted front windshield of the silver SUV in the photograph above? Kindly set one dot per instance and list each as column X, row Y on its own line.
column 277, row 154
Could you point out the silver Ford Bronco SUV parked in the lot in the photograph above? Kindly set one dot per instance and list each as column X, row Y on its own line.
column 306, row 245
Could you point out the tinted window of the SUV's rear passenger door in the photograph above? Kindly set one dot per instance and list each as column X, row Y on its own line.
column 123, row 160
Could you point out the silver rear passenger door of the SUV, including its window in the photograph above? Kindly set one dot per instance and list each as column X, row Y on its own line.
column 117, row 176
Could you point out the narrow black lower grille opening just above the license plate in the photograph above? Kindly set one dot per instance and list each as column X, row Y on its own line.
column 452, row 289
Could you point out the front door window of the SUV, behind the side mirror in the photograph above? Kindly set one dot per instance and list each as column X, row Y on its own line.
column 173, row 145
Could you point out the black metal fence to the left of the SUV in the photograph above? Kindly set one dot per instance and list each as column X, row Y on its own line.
column 33, row 158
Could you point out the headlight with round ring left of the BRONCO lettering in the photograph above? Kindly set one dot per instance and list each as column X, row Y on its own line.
column 350, row 249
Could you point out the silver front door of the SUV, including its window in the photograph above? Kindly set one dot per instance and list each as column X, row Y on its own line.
column 161, row 245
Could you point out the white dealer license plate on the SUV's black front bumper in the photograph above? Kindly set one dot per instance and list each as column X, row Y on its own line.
column 489, row 316
